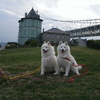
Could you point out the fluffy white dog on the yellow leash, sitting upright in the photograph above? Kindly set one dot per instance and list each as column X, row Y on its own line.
column 49, row 60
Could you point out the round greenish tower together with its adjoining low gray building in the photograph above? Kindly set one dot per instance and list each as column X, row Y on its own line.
column 30, row 28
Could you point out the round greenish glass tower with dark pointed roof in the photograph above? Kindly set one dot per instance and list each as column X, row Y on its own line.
column 29, row 27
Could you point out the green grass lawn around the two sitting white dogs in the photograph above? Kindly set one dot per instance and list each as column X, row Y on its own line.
column 48, row 87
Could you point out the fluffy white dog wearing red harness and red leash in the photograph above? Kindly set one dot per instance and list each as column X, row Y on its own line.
column 65, row 59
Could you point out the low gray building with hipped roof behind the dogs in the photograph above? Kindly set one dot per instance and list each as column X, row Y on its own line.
column 55, row 35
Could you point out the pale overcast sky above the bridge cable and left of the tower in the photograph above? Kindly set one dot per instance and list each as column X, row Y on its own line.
column 13, row 10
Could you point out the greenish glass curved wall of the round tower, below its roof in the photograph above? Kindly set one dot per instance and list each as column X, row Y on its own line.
column 29, row 28
